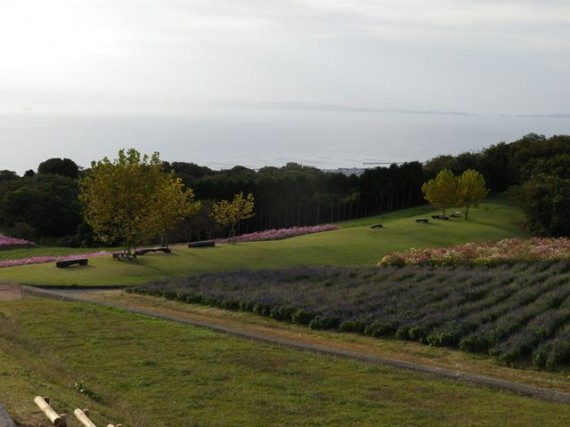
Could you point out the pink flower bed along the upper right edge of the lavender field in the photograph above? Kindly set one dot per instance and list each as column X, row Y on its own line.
column 485, row 253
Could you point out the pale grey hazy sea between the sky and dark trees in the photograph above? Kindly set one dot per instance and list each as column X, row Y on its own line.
column 328, row 140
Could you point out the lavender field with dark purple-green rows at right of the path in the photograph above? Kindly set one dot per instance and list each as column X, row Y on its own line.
column 519, row 313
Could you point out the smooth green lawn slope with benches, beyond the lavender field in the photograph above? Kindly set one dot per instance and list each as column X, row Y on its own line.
column 355, row 244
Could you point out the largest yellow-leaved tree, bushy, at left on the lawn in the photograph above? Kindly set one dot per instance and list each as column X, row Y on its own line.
column 132, row 200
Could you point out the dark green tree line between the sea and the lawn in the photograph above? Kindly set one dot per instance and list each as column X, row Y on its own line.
column 44, row 205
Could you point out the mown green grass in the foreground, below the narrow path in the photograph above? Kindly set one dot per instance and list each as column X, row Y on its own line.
column 151, row 372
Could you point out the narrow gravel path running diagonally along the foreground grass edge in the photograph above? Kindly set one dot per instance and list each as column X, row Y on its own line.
column 523, row 389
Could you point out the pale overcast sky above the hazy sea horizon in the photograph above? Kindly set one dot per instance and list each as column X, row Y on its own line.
column 206, row 58
